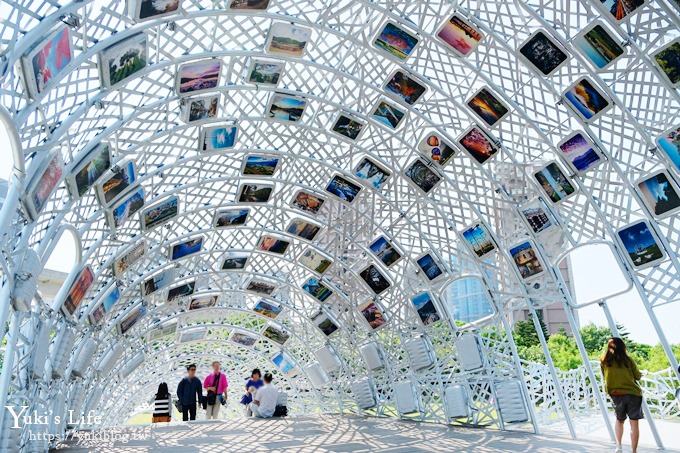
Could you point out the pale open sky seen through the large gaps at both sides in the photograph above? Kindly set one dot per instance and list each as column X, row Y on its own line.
column 594, row 270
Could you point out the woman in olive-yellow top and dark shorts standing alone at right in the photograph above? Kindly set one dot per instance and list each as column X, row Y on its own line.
column 621, row 377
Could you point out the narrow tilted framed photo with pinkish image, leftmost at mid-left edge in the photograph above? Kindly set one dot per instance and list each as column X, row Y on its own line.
column 42, row 184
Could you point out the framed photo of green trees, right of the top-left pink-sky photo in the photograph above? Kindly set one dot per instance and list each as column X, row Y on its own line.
column 121, row 61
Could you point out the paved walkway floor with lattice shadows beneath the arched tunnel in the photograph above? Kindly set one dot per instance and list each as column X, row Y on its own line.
column 325, row 434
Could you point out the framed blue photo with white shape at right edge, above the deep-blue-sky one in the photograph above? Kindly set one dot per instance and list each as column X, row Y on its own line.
column 660, row 193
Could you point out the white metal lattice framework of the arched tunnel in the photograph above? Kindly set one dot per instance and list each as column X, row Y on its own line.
column 340, row 71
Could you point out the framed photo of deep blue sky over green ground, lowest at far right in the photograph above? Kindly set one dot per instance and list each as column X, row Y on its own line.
column 640, row 244
